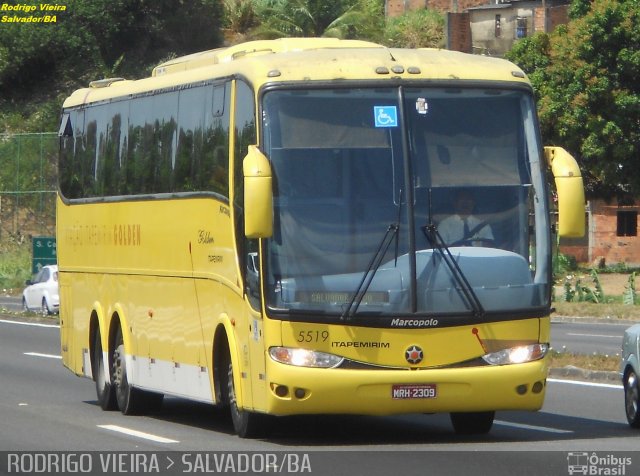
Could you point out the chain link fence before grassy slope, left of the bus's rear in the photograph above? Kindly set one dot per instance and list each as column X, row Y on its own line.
column 28, row 183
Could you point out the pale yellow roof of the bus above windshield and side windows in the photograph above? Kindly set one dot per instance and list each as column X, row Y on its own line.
column 307, row 59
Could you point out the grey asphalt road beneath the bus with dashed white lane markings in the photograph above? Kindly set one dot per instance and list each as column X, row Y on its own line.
column 43, row 407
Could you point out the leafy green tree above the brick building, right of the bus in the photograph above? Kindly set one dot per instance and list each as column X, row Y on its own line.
column 588, row 82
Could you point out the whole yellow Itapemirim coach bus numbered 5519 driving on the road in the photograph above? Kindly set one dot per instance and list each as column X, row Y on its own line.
column 262, row 227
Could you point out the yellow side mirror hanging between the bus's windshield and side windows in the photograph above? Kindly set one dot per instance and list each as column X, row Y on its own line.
column 258, row 194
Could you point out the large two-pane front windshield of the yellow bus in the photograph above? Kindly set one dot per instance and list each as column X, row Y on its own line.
column 423, row 200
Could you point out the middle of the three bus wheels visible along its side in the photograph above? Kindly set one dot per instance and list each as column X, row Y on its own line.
column 131, row 401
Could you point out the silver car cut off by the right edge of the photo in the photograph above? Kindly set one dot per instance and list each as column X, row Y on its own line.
column 630, row 372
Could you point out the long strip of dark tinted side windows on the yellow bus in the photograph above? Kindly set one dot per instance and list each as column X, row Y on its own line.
column 163, row 142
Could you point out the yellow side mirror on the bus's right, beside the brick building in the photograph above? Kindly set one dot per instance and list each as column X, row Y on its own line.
column 571, row 222
